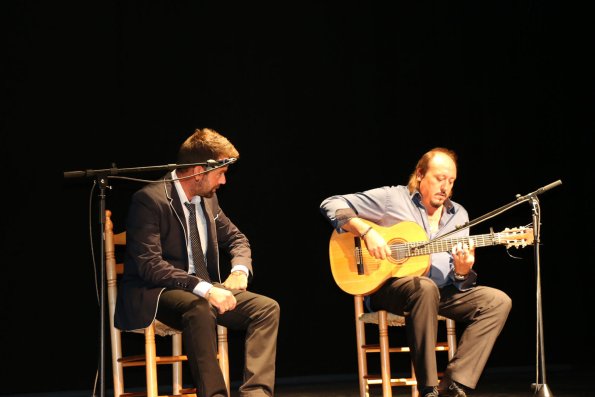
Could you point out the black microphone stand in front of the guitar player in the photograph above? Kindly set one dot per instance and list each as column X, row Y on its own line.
column 540, row 386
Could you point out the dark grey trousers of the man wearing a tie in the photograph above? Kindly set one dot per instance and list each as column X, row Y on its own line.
column 258, row 315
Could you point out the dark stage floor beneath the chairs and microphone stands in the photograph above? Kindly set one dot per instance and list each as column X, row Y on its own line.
column 509, row 382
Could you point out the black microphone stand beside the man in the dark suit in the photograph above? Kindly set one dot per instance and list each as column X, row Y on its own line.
column 102, row 176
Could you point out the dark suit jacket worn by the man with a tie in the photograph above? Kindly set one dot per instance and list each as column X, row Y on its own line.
column 156, row 254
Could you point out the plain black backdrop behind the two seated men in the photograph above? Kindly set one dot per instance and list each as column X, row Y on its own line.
column 320, row 98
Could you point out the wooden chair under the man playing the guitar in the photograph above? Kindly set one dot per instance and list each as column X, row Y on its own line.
column 384, row 319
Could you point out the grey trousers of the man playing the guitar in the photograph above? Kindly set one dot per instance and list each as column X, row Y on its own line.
column 483, row 310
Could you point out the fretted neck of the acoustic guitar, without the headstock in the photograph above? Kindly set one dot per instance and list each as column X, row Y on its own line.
column 406, row 250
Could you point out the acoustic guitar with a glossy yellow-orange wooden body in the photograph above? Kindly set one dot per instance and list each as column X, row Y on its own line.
column 358, row 273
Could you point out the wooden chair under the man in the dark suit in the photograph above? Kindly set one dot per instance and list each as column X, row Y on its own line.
column 149, row 359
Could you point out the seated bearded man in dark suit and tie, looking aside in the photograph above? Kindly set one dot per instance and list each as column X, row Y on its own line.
column 172, row 272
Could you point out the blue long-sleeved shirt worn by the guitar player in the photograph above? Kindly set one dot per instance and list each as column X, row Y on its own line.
column 389, row 205
